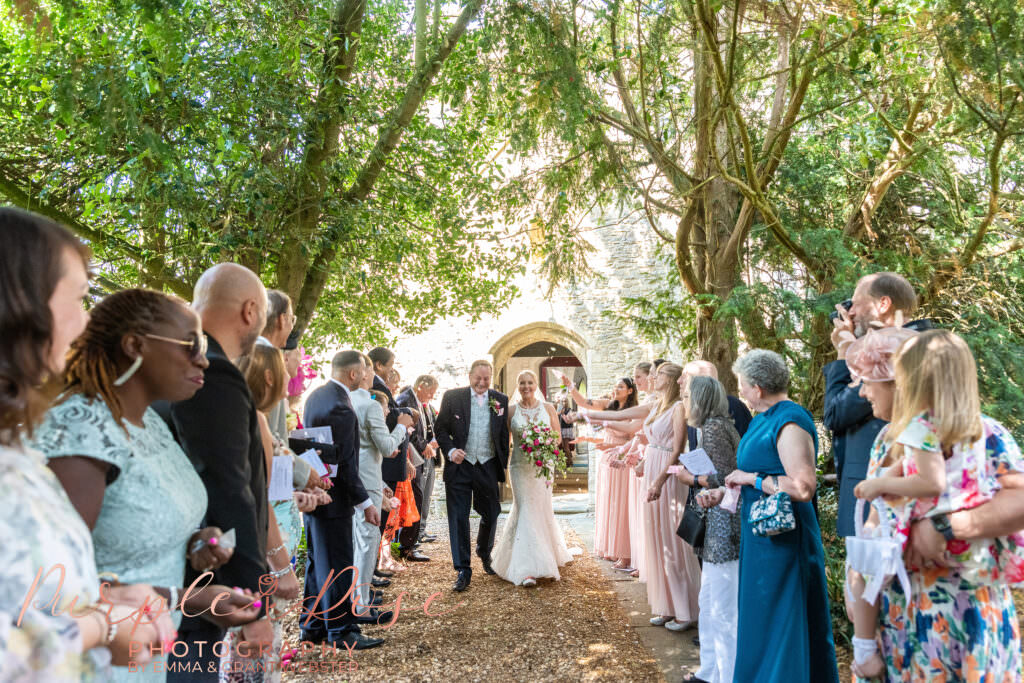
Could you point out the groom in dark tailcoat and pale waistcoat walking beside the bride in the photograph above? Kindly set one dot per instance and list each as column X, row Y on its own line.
column 473, row 432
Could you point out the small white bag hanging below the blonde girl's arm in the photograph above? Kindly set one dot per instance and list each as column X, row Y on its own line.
column 876, row 558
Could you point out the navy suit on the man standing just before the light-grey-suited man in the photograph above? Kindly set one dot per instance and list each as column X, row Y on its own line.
column 329, row 528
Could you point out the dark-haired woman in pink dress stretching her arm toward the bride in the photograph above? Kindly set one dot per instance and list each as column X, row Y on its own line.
column 612, row 539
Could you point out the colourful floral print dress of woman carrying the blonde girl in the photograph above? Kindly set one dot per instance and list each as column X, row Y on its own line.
column 956, row 627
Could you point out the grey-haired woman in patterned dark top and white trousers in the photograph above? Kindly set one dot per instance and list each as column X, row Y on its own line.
column 708, row 411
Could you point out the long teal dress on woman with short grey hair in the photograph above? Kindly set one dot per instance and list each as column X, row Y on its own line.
column 785, row 627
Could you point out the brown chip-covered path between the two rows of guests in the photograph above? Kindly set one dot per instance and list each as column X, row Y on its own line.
column 572, row 630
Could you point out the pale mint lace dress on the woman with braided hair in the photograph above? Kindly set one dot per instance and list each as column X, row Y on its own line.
column 152, row 507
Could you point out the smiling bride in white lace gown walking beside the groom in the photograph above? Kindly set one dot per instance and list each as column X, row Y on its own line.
column 532, row 545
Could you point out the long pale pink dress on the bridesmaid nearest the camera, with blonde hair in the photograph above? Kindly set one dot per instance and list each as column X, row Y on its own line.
column 673, row 571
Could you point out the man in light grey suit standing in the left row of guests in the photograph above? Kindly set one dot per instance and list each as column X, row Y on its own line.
column 376, row 444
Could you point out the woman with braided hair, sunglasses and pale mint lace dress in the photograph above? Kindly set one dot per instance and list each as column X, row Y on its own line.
column 125, row 475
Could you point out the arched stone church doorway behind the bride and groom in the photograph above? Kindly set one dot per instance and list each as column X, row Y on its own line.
column 548, row 350
